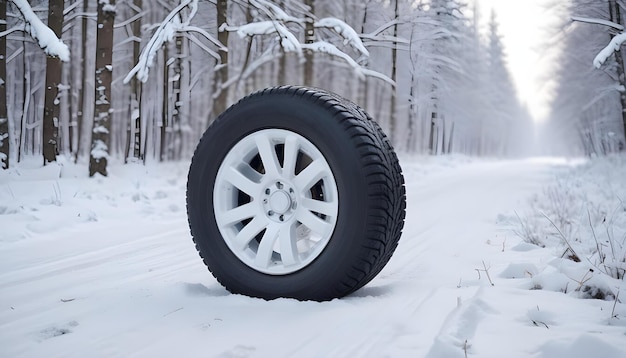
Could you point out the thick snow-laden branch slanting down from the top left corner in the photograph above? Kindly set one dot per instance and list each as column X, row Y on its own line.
column 42, row 34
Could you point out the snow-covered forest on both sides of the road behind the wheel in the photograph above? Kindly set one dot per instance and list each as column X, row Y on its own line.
column 142, row 79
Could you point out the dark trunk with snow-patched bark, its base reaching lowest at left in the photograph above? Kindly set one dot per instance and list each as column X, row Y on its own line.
column 101, row 127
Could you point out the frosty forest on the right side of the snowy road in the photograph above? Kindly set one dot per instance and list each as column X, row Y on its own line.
column 588, row 112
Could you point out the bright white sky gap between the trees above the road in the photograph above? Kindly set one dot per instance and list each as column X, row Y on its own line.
column 523, row 25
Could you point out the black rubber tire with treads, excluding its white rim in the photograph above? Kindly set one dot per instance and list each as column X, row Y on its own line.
column 369, row 182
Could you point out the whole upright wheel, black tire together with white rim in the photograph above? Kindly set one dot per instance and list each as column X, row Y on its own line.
column 295, row 192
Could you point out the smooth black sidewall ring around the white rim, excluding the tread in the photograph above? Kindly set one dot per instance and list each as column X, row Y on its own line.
column 324, row 277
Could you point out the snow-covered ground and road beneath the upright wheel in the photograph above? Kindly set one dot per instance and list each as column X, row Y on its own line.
column 106, row 267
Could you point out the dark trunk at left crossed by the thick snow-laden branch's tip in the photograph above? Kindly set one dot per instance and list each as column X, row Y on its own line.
column 53, row 79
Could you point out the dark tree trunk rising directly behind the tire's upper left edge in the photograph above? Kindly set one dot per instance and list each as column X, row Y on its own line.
column 221, row 75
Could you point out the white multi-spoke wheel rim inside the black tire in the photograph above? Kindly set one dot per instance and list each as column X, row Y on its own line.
column 275, row 201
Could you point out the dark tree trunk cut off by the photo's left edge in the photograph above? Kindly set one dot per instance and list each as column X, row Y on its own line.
column 4, row 121
